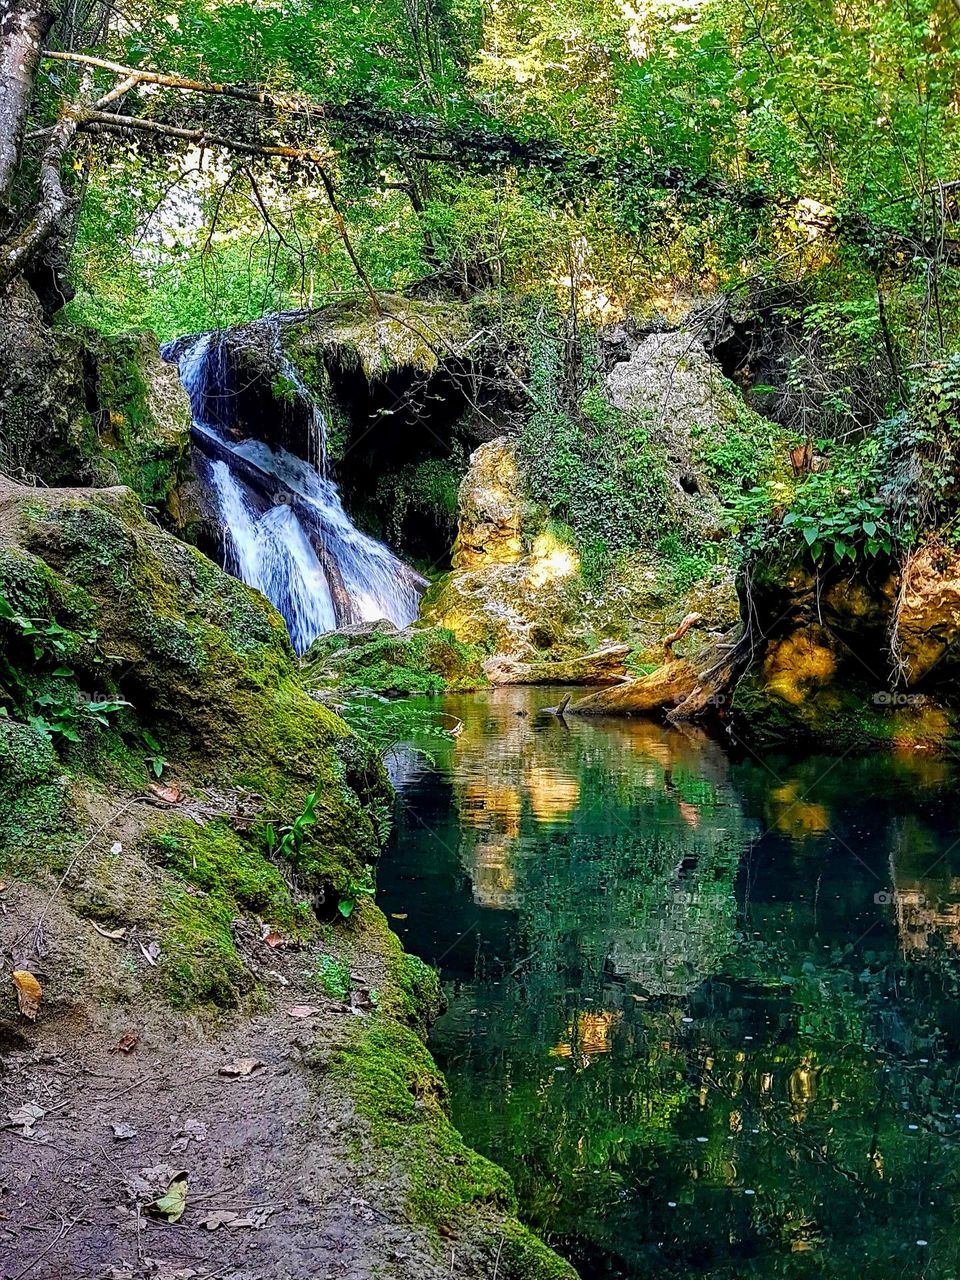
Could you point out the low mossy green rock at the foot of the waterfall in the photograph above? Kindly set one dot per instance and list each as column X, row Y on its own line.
column 383, row 659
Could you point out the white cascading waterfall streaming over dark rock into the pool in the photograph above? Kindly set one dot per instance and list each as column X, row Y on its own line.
column 286, row 531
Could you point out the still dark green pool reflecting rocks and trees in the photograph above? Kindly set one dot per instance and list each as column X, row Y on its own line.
column 705, row 1008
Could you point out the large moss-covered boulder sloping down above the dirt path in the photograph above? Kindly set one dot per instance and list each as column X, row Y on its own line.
column 134, row 616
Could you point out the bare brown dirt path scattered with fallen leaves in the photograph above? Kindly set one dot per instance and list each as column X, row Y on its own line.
column 280, row 1148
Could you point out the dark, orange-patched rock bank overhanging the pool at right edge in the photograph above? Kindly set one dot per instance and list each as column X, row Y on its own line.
column 854, row 659
